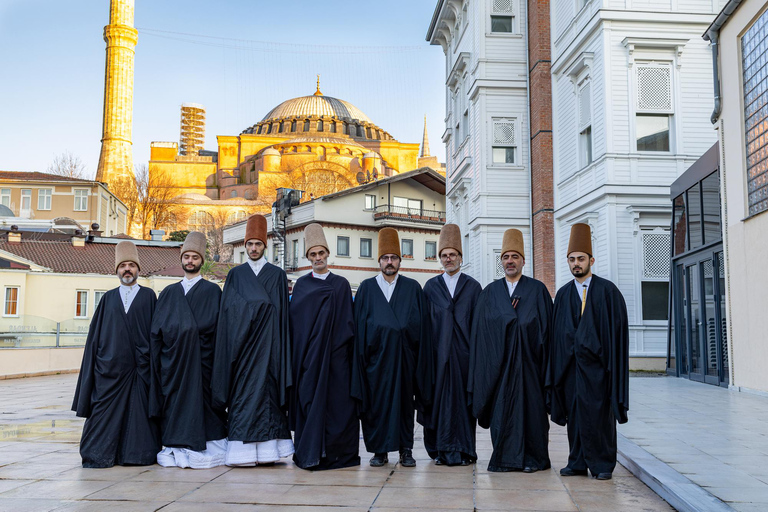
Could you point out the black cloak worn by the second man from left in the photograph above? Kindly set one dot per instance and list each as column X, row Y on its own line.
column 183, row 338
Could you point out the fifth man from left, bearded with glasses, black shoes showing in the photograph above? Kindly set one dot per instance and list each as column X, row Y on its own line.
column 391, row 368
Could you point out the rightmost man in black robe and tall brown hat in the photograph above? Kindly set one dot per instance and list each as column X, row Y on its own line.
column 589, row 369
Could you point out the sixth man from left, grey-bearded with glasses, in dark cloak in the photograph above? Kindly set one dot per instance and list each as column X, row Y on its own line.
column 449, row 428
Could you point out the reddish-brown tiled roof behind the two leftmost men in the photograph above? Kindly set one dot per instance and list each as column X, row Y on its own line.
column 57, row 253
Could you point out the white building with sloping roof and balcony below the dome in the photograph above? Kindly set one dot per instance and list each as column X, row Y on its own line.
column 412, row 202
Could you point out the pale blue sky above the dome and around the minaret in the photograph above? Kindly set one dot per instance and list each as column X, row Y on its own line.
column 239, row 58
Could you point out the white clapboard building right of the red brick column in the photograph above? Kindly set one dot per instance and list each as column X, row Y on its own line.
column 631, row 107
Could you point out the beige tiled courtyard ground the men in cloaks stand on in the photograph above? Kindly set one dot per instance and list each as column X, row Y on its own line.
column 40, row 471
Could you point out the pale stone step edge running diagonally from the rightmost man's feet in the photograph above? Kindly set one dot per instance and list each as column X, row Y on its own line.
column 674, row 487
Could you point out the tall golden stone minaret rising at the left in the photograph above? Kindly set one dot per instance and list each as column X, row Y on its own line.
column 116, row 159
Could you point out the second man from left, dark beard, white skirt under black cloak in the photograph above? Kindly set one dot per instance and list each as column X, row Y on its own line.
column 183, row 335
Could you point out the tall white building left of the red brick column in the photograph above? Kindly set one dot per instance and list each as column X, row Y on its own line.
column 488, row 134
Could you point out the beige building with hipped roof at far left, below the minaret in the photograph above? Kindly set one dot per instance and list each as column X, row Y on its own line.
column 42, row 201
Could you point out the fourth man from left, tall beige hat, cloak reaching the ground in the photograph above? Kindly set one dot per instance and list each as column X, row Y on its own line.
column 323, row 415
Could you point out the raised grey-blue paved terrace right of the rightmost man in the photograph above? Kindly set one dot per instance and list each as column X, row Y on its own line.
column 716, row 438
